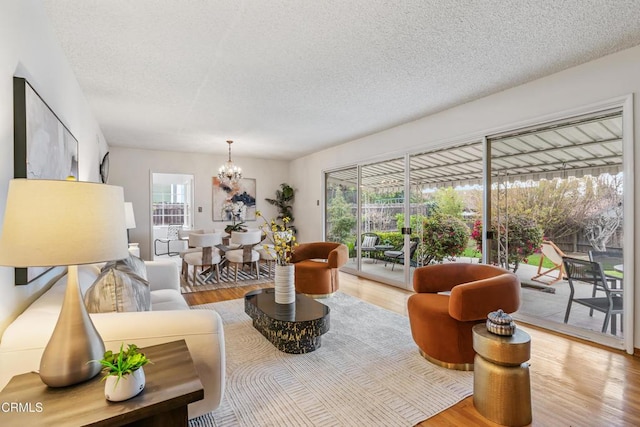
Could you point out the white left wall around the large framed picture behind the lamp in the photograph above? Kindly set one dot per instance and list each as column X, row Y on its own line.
column 28, row 48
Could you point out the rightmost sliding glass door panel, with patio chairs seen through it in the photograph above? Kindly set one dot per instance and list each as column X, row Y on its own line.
column 557, row 191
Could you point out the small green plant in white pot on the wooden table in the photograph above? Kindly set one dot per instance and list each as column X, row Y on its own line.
column 123, row 373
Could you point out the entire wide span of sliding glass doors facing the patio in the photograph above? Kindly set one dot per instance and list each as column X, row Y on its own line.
column 522, row 200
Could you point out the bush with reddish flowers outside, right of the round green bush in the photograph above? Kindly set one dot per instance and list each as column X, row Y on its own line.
column 525, row 238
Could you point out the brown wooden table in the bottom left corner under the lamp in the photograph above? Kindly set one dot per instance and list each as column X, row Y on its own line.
column 171, row 384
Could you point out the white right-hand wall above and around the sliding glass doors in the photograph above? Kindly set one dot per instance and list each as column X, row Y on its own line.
column 597, row 81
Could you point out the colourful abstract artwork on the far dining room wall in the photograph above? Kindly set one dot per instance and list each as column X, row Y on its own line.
column 234, row 202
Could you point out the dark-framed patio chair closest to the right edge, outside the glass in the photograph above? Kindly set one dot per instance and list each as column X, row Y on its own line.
column 591, row 272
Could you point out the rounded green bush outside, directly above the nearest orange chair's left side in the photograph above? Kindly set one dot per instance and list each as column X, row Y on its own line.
column 444, row 236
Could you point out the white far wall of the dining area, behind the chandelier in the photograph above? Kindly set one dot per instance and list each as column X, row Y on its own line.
column 132, row 168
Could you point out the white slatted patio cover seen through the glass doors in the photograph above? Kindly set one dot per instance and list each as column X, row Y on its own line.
column 587, row 145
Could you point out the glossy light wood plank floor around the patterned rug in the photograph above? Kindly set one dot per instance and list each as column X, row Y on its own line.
column 573, row 383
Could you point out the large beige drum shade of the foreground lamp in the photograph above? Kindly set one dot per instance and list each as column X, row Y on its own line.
column 53, row 223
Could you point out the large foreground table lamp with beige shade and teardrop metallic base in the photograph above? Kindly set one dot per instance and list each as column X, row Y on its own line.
column 65, row 223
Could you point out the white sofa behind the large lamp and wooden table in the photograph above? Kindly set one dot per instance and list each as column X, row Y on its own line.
column 23, row 341
